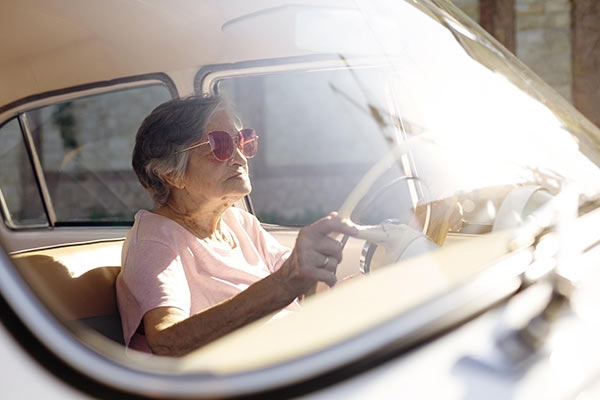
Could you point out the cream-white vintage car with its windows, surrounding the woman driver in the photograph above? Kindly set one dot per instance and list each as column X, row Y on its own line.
column 430, row 319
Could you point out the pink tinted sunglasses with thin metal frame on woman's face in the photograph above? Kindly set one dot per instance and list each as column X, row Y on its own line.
column 222, row 145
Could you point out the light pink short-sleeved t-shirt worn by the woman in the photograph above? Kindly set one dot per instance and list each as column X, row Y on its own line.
column 166, row 265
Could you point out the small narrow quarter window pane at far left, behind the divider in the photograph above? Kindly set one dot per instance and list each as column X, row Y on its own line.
column 19, row 195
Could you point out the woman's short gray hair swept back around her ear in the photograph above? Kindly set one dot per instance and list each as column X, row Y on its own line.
column 168, row 129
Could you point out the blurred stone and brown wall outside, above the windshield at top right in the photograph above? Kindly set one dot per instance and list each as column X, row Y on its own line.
column 558, row 39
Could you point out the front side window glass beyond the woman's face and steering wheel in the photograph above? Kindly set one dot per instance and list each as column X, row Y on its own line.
column 319, row 132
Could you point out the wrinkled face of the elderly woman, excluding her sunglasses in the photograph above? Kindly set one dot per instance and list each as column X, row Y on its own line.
column 210, row 180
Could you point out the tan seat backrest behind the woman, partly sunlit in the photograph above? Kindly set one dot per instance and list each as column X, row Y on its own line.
column 77, row 283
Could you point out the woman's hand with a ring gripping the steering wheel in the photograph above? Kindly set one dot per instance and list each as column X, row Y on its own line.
column 315, row 256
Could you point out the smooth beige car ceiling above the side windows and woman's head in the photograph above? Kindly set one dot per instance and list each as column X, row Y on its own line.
column 71, row 43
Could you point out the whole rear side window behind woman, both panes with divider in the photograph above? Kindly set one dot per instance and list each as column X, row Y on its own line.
column 69, row 162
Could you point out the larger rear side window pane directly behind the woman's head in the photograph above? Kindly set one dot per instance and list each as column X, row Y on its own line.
column 85, row 148
